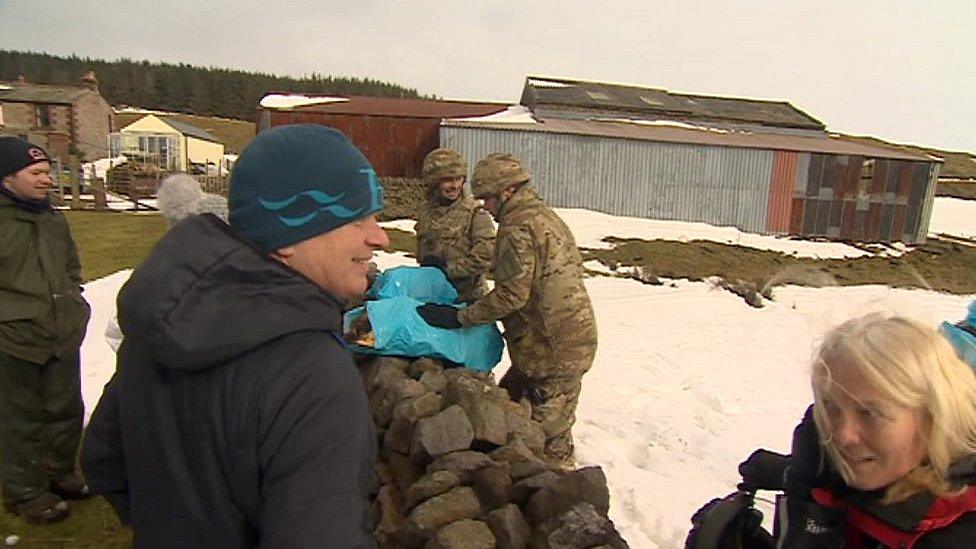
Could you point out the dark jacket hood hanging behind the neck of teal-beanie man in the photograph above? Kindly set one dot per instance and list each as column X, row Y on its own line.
column 205, row 295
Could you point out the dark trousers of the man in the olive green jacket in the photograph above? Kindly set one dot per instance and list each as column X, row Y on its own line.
column 41, row 413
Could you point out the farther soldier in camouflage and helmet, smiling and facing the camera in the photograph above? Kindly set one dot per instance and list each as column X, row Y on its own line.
column 453, row 231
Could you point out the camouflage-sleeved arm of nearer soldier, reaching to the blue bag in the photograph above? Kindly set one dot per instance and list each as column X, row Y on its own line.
column 514, row 270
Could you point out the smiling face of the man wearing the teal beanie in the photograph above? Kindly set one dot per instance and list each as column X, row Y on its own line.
column 338, row 260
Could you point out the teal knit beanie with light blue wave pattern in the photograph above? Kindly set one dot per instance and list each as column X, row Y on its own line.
column 294, row 182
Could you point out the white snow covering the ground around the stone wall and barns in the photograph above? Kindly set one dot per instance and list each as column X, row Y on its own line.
column 688, row 380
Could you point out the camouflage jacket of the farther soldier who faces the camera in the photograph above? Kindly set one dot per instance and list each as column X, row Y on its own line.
column 462, row 234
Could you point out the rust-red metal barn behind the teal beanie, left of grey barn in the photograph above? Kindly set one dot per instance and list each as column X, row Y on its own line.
column 394, row 134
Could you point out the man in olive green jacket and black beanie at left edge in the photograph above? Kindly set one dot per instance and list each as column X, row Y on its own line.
column 42, row 323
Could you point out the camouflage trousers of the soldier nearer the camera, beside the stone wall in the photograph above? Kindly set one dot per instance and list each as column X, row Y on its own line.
column 553, row 398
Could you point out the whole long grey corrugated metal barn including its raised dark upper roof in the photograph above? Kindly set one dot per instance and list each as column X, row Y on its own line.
column 762, row 166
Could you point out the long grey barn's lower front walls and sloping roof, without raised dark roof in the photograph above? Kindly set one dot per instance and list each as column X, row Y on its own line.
column 805, row 185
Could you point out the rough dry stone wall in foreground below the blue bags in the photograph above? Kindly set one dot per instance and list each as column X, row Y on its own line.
column 460, row 465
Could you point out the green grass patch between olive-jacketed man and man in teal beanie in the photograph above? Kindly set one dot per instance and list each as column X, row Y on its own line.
column 111, row 241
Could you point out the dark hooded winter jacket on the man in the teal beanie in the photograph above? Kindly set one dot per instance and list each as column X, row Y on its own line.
column 236, row 417
